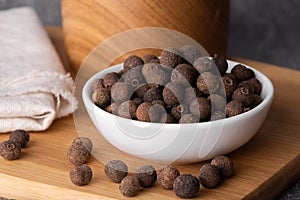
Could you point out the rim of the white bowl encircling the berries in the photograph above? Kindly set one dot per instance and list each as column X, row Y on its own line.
column 89, row 104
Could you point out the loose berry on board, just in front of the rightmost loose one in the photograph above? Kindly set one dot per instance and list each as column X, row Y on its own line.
column 209, row 176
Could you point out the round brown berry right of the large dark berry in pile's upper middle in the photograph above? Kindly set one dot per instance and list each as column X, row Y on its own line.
column 207, row 83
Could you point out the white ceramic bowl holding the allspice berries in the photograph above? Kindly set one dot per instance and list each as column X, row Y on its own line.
column 180, row 143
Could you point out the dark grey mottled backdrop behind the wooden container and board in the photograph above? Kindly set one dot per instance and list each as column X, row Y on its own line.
column 263, row 30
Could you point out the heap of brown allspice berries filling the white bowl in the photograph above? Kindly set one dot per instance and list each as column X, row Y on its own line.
column 179, row 86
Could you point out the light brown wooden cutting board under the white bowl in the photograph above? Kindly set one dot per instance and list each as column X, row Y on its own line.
column 263, row 167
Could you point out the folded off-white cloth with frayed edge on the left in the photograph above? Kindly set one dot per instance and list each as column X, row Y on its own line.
column 34, row 87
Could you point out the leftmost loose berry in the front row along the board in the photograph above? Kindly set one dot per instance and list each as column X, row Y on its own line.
column 81, row 175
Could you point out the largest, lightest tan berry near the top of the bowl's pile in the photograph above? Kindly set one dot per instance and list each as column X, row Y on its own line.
column 155, row 73
